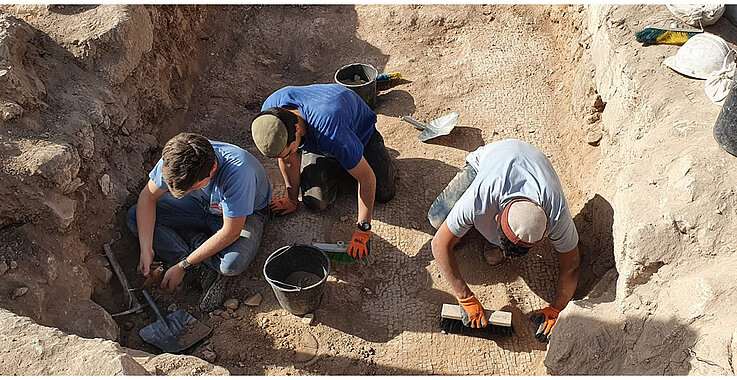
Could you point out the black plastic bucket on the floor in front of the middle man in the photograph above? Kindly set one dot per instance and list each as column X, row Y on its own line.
column 297, row 274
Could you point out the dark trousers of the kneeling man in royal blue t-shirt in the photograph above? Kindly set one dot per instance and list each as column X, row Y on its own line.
column 321, row 176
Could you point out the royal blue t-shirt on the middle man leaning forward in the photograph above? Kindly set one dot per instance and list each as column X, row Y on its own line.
column 339, row 123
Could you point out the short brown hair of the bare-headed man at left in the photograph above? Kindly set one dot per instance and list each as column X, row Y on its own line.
column 188, row 159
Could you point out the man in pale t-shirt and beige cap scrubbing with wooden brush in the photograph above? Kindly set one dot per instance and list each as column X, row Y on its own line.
column 510, row 193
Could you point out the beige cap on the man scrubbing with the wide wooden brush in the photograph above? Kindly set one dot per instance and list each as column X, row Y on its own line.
column 524, row 222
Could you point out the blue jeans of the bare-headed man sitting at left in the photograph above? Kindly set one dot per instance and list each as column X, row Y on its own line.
column 174, row 215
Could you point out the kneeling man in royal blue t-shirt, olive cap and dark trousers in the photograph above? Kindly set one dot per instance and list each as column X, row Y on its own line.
column 322, row 135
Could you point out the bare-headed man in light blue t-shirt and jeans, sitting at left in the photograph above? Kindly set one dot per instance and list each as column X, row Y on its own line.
column 214, row 188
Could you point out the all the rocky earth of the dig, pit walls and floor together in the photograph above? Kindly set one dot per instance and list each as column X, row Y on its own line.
column 90, row 94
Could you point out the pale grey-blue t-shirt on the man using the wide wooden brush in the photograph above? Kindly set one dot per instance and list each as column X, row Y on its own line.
column 507, row 170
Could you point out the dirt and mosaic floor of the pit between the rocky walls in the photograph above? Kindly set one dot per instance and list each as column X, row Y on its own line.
column 507, row 70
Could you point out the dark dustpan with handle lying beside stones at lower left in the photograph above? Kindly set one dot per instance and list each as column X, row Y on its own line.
column 174, row 333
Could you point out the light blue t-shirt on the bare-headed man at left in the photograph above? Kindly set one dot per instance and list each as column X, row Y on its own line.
column 240, row 185
